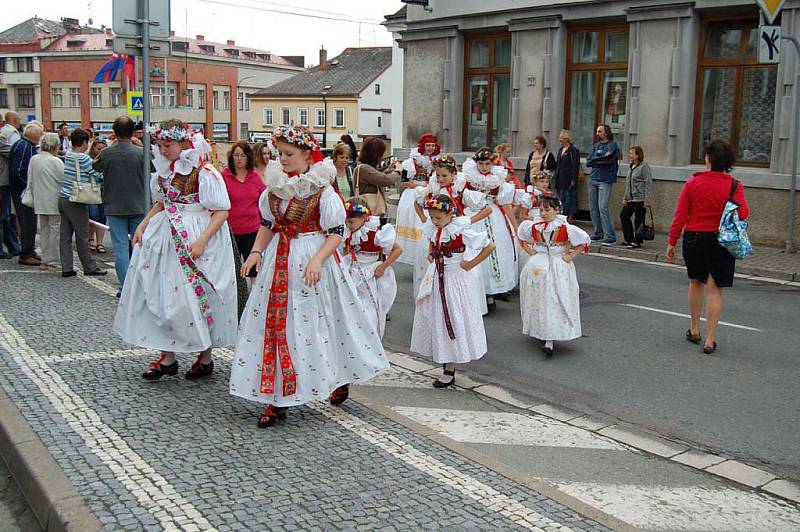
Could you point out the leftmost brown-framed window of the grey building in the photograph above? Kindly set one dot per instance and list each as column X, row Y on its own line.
column 487, row 91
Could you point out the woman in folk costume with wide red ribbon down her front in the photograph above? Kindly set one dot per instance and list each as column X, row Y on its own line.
column 305, row 334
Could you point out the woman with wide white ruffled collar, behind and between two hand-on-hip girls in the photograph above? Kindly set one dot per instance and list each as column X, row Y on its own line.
column 500, row 271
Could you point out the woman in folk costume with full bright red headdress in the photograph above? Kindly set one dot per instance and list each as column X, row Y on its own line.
column 418, row 169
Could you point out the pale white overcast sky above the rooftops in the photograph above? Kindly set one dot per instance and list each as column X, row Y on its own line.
column 246, row 21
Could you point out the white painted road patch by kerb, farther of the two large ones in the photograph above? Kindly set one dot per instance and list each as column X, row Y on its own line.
column 504, row 428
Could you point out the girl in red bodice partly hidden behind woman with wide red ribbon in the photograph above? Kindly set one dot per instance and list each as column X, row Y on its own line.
column 365, row 243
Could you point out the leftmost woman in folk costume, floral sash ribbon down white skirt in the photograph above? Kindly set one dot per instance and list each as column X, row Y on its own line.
column 180, row 290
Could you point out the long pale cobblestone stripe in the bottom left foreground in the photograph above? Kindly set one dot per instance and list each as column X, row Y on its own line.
column 152, row 491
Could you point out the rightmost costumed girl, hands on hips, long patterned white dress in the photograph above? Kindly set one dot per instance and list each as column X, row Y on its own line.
column 549, row 296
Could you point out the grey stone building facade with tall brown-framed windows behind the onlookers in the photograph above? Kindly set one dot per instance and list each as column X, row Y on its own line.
column 667, row 76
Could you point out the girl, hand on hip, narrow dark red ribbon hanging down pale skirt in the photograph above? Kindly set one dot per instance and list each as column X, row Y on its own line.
column 448, row 325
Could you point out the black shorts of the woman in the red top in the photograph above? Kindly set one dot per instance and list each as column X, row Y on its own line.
column 704, row 256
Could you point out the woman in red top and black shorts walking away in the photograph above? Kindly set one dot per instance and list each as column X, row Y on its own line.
column 697, row 214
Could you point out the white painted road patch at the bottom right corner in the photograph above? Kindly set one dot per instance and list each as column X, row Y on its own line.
column 691, row 508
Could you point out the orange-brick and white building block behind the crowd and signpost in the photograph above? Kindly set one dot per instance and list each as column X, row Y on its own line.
column 205, row 84
